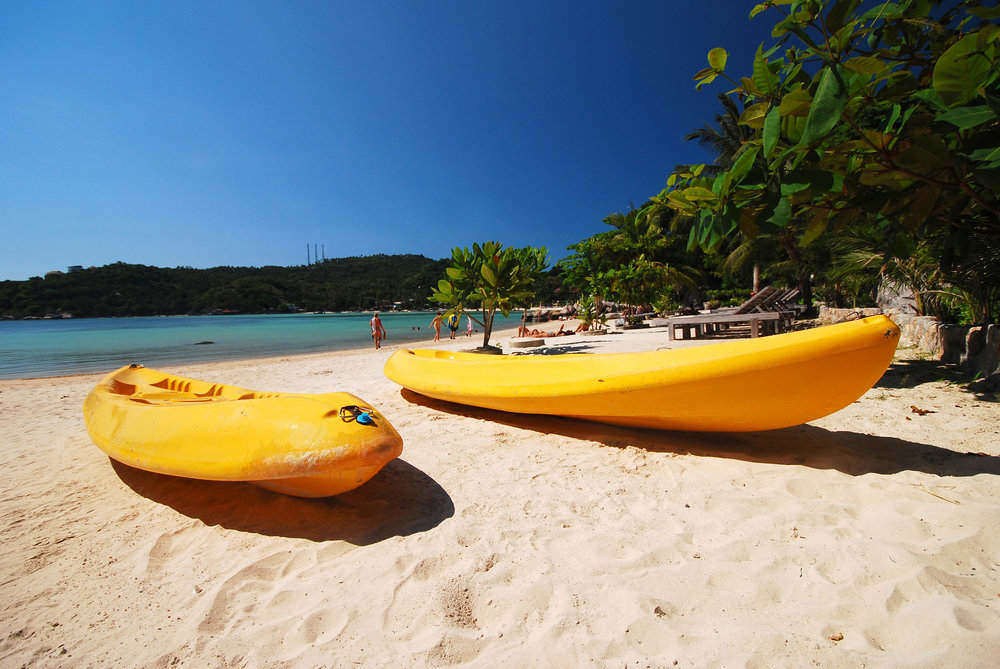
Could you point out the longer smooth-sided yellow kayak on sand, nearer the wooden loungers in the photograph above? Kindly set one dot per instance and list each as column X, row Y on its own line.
column 754, row 384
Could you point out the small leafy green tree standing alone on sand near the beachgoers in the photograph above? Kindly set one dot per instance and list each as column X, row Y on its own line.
column 491, row 277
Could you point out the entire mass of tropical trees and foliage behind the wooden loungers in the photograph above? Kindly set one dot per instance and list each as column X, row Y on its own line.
column 861, row 149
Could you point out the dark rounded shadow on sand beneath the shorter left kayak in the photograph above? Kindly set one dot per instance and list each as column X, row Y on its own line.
column 398, row 501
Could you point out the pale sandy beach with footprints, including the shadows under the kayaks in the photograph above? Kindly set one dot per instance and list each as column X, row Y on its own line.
column 867, row 538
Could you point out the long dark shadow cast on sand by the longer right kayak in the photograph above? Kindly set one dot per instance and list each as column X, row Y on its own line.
column 852, row 453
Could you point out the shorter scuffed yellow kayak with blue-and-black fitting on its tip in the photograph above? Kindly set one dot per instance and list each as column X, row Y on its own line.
column 297, row 444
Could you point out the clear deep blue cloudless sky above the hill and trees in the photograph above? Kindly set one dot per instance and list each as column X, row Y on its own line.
column 234, row 133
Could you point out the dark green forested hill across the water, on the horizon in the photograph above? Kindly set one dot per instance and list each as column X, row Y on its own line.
column 342, row 284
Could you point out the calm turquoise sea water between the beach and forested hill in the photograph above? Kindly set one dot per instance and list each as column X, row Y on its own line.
column 84, row 345
